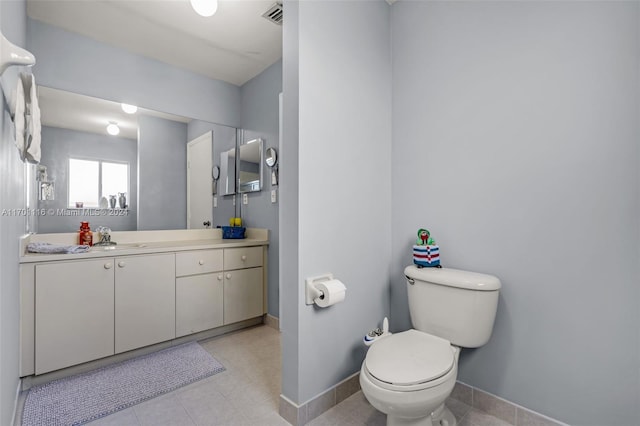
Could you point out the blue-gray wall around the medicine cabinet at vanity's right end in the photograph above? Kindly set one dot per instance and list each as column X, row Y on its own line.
column 259, row 101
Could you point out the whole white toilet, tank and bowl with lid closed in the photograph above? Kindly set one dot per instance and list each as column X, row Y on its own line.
column 409, row 375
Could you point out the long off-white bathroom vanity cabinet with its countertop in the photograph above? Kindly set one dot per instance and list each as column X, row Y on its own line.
column 86, row 307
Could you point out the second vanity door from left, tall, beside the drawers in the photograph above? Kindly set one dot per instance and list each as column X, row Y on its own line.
column 145, row 309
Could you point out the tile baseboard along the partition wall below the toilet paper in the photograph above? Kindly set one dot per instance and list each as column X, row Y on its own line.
column 299, row 415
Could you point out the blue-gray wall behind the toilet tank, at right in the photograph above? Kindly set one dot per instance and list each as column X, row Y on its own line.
column 523, row 117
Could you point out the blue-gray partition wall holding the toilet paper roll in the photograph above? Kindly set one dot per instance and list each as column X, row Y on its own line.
column 344, row 130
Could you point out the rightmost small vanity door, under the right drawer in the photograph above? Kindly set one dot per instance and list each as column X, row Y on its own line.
column 243, row 295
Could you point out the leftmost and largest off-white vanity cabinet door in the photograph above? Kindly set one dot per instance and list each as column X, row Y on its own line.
column 74, row 318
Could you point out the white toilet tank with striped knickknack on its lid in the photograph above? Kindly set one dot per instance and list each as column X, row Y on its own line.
column 459, row 306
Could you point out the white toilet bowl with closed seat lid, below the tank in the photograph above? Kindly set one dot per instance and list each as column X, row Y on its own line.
column 408, row 376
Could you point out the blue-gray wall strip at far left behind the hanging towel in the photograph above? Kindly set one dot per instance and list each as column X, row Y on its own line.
column 12, row 226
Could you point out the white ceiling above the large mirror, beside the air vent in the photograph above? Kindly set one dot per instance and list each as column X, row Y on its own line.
column 234, row 45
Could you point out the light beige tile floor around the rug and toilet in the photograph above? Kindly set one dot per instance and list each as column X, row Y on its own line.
column 247, row 393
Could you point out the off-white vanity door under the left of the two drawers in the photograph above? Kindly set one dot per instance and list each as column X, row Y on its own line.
column 198, row 303
